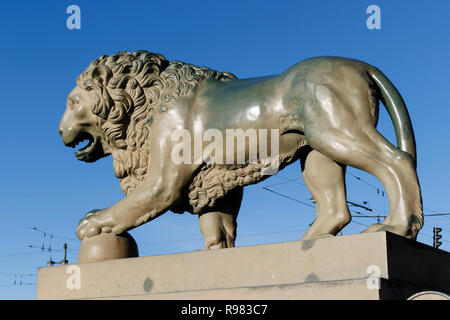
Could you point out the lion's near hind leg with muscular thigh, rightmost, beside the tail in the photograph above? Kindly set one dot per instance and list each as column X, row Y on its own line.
column 342, row 128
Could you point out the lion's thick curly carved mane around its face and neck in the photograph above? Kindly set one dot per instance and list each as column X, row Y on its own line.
column 132, row 87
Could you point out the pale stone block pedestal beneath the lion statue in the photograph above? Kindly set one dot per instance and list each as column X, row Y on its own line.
column 370, row 266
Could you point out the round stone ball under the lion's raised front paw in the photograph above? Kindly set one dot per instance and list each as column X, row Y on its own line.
column 107, row 246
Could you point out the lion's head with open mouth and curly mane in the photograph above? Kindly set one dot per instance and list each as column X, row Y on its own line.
column 114, row 101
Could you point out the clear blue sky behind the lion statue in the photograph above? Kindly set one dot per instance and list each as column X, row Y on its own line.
column 44, row 186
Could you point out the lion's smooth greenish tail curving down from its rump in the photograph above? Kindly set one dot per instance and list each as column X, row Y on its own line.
column 396, row 107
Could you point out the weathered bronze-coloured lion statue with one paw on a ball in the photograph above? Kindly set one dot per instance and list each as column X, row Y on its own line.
column 324, row 111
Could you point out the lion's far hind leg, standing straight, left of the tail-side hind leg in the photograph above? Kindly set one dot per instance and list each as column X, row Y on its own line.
column 325, row 180
